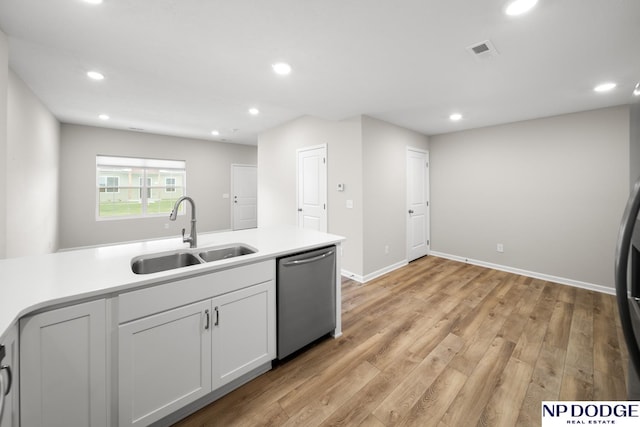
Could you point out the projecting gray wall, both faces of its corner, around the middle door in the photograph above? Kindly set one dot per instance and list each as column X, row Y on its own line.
column 364, row 154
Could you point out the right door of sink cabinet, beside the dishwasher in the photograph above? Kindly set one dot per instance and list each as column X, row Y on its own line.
column 244, row 331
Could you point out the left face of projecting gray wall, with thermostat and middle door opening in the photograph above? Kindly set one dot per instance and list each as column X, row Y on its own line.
column 277, row 178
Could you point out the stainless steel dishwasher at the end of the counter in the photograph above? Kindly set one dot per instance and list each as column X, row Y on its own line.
column 306, row 298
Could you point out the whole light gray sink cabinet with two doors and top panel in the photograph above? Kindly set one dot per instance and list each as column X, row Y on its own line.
column 179, row 341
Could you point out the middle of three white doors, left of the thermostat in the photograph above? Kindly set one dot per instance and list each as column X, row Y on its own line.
column 312, row 188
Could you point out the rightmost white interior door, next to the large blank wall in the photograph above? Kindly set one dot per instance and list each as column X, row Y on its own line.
column 417, row 203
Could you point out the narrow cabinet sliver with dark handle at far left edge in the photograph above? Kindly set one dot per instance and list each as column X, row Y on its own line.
column 9, row 408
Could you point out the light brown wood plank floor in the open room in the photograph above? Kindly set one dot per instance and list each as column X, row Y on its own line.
column 442, row 343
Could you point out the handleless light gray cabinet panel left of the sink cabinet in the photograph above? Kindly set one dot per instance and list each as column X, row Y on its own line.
column 63, row 367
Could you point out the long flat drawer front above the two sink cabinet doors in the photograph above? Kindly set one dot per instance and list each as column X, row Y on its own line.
column 144, row 302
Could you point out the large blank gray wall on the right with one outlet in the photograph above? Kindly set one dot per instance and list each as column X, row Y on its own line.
column 551, row 190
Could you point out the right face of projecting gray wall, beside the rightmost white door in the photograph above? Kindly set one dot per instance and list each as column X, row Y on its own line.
column 385, row 190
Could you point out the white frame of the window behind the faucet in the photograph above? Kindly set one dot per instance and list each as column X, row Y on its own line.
column 179, row 166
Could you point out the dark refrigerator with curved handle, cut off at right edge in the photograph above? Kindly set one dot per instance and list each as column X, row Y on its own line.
column 627, row 280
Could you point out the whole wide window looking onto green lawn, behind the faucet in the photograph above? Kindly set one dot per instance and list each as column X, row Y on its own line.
column 131, row 187
